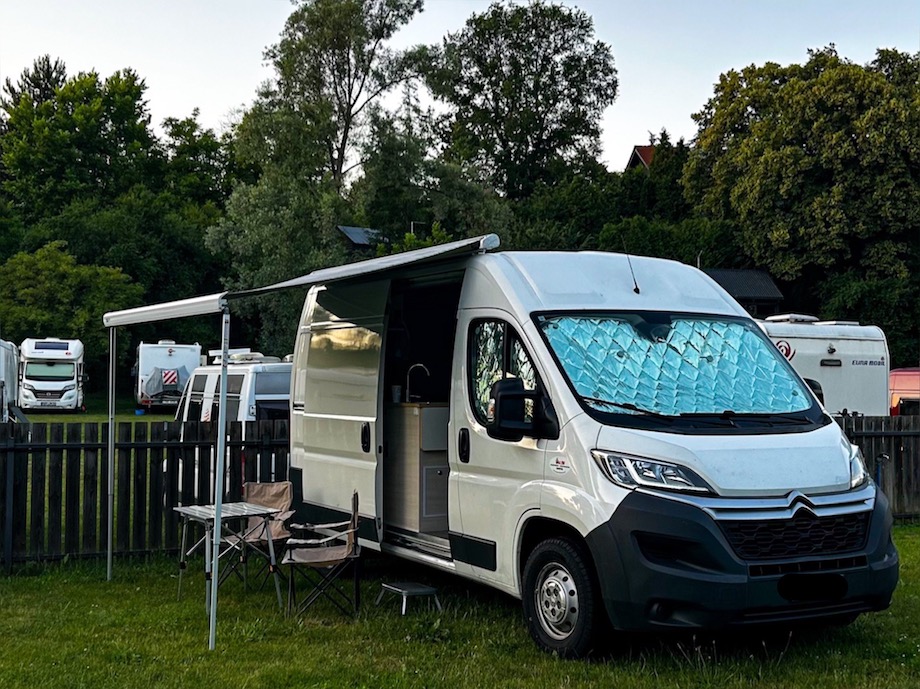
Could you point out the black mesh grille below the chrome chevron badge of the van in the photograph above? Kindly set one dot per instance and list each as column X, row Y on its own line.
column 802, row 536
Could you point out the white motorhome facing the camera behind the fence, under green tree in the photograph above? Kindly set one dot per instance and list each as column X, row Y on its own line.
column 51, row 374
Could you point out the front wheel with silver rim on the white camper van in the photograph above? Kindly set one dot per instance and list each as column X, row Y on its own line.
column 560, row 598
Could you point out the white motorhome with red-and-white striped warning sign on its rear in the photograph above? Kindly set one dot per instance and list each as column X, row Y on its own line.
column 161, row 372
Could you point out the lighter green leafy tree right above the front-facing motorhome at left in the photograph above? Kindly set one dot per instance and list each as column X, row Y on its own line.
column 48, row 294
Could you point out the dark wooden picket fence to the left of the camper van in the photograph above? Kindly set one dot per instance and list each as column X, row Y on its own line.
column 54, row 501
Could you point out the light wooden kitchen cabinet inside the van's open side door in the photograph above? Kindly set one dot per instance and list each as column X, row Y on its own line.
column 415, row 467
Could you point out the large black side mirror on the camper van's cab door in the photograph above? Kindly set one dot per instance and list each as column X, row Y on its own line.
column 507, row 415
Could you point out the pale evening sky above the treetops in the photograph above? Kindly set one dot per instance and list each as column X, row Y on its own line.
column 208, row 54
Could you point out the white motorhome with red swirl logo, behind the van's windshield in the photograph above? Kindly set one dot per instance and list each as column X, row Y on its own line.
column 849, row 361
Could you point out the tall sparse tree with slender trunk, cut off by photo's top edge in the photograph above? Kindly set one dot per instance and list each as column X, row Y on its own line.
column 332, row 63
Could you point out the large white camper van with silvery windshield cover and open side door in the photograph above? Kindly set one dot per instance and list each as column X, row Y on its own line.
column 604, row 437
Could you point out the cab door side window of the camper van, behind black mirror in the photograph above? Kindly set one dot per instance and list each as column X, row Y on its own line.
column 496, row 352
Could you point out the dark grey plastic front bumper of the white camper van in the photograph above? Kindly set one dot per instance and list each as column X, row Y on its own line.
column 666, row 564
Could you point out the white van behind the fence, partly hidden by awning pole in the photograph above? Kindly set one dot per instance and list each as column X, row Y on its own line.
column 258, row 389
